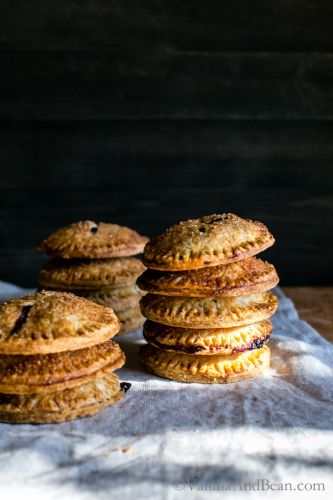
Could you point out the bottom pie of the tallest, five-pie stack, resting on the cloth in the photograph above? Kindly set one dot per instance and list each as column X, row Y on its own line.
column 216, row 369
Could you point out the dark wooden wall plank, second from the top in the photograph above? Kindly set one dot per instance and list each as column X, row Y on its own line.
column 105, row 85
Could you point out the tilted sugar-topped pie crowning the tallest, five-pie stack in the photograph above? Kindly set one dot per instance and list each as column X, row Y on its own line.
column 208, row 241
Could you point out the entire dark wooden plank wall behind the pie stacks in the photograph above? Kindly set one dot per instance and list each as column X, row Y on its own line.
column 148, row 112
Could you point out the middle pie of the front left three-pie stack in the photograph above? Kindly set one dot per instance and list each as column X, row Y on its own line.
column 42, row 373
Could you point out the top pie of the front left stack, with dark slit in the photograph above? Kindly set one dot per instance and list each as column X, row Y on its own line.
column 52, row 322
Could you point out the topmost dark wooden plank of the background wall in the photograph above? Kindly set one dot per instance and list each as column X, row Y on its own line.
column 302, row 25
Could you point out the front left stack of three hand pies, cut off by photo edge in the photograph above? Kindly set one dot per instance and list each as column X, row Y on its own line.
column 57, row 359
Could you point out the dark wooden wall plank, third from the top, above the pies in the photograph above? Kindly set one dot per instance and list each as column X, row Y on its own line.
column 167, row 153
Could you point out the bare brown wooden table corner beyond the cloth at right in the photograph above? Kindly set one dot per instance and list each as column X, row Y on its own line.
column 314, row 305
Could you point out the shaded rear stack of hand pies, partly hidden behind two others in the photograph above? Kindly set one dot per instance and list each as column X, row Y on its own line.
column 96, row 261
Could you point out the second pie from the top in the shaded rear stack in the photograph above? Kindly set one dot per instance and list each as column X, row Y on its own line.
column 117, row 272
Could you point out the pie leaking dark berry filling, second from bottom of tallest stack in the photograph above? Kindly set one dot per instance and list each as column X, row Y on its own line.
column 207, row 341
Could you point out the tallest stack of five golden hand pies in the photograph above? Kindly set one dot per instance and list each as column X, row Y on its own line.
column 208, row 304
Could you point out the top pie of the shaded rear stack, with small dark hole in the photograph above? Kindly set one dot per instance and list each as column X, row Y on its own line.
column 87, row 239
